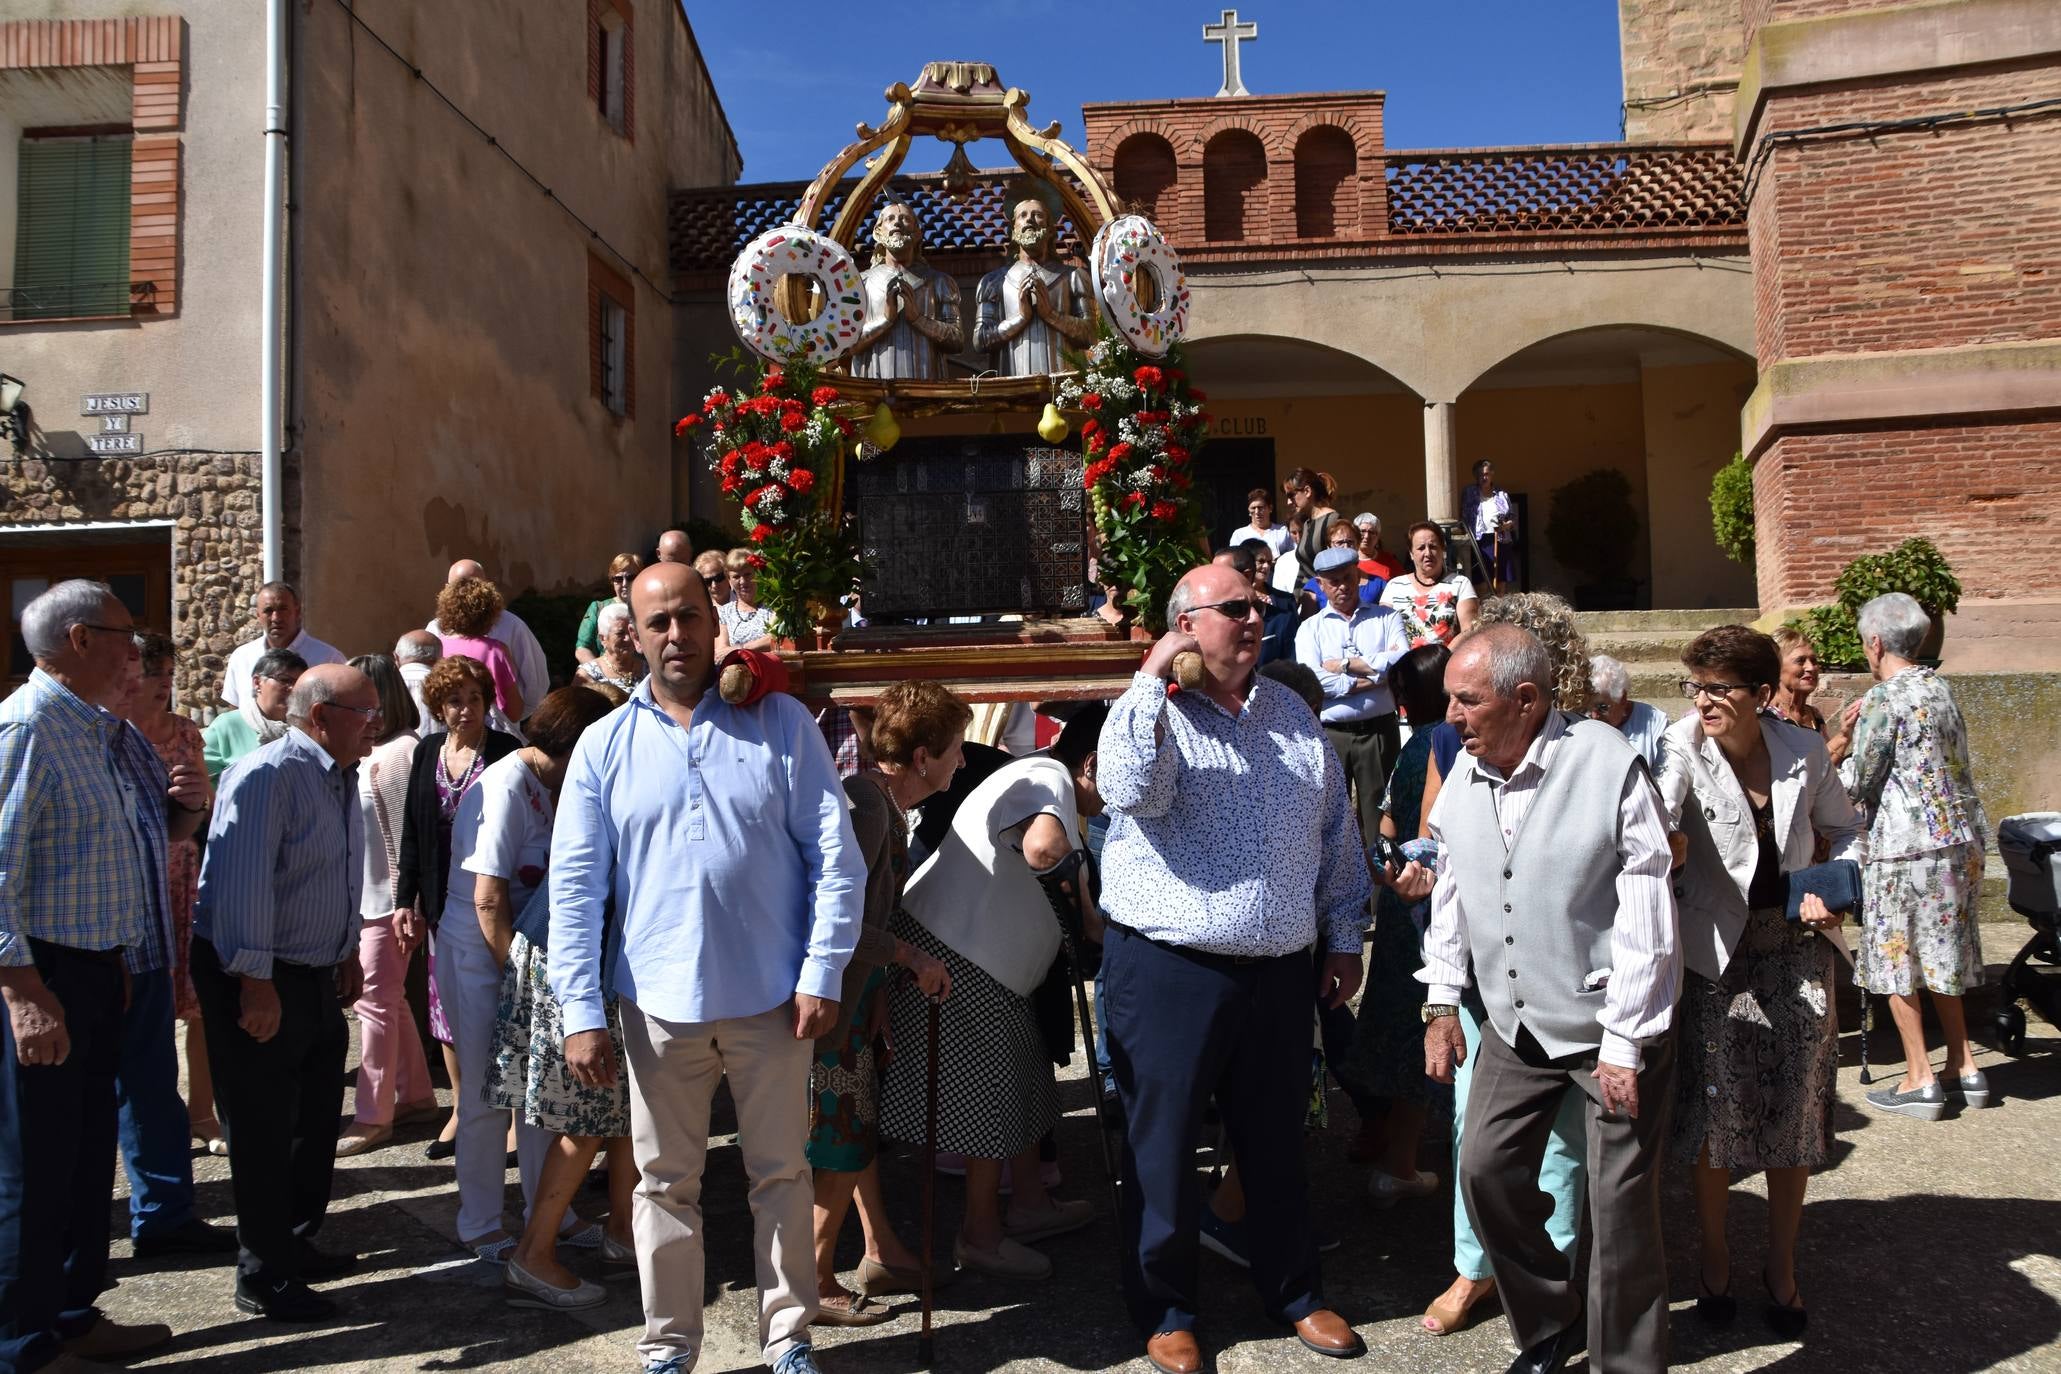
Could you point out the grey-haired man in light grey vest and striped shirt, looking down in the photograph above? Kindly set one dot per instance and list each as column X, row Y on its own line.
column 1555, row 903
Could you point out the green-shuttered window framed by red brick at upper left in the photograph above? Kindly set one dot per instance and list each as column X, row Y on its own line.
column 73, row 230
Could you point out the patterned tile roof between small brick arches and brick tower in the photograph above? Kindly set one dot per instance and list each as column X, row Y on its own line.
column 1547, row 191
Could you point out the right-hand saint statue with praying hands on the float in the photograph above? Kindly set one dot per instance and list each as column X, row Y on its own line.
column 1032, row 310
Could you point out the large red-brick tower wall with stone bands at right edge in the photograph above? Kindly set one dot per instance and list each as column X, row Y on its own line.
column 1891, row 242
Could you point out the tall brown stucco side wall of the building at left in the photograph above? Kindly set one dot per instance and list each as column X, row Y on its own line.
column 446, row 362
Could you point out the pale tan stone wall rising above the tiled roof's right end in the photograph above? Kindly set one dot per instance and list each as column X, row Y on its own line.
column 1681, row 67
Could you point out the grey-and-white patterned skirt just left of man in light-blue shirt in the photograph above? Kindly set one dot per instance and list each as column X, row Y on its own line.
column 529, row 1072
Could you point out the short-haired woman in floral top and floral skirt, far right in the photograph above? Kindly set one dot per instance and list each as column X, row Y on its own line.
column 1905, row 759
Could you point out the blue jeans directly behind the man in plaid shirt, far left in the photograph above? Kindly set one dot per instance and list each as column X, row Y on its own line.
column 156, row 1138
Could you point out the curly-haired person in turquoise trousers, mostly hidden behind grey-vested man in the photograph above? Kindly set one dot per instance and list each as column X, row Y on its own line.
column 1563, row 1175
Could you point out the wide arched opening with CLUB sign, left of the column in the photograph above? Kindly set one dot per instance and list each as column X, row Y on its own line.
column 1283, row 403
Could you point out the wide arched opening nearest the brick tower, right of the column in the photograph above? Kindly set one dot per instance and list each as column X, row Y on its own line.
column 1654, row 407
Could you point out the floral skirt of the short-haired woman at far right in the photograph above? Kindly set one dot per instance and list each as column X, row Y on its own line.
column 1920, row 926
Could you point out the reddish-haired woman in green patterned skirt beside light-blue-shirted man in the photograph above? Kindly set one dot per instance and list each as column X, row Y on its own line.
column 916, row 738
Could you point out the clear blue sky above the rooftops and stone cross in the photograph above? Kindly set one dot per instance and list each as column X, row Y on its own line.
column 1466, row 73
